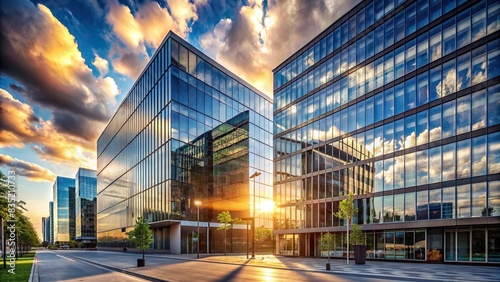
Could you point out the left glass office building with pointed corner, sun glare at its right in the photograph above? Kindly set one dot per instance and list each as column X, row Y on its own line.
column 188, row 130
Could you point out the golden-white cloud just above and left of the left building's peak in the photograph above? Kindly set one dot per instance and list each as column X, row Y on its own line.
column 133, row 31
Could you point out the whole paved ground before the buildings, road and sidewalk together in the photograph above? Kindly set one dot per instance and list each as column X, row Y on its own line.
column 218, row 267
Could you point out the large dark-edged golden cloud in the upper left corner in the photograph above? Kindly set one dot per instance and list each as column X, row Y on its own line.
column 40, row 53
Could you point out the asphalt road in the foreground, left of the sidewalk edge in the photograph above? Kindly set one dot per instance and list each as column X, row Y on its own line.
column 109, row 266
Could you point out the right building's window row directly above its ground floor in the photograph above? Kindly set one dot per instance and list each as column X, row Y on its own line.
column 461, row 201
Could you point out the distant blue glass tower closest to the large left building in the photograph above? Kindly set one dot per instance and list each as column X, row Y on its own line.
column 85, row 206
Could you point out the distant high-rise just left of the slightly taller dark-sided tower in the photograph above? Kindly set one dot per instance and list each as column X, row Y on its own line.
column 64, row 210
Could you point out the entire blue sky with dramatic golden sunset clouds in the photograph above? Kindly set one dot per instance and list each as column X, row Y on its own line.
column 65, row 65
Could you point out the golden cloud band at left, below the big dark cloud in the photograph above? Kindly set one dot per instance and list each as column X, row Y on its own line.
column 19, row 127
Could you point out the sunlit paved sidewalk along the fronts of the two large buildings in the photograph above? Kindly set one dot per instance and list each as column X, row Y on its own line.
column 380, row 269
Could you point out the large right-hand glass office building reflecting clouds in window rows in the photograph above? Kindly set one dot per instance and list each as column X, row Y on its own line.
column 398, row 103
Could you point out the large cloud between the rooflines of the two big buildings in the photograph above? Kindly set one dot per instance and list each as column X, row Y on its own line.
column 253, row 44
